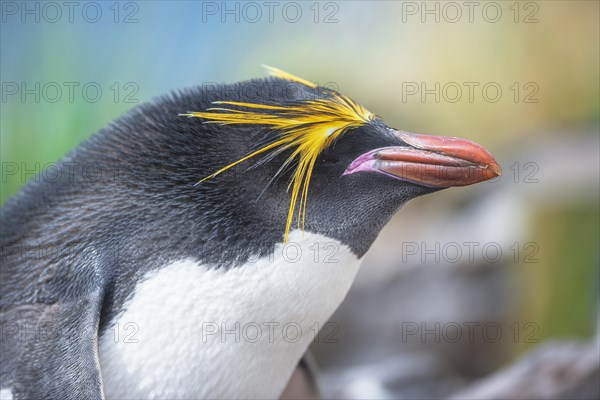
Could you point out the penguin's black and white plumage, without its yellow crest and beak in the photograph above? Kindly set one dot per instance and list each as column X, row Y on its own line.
column 115, row 274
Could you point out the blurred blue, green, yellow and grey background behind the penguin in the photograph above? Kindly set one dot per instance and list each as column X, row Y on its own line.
column 472, row 292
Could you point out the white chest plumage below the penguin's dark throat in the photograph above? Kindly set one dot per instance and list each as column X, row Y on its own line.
column 191, row 331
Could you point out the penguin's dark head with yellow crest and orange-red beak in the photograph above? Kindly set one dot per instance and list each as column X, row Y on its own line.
column 302, row 156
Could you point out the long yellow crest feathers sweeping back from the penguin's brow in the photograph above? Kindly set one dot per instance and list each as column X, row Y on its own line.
column 306, row 128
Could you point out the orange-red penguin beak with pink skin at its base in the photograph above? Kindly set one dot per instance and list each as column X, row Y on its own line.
column 433, row 161
